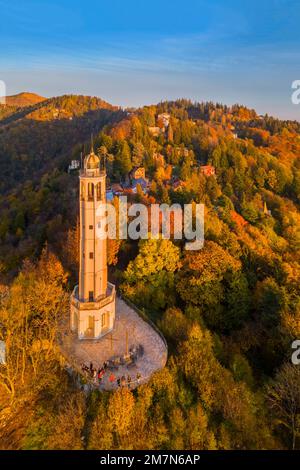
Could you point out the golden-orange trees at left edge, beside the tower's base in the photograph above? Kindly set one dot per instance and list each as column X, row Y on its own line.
column 30, row 317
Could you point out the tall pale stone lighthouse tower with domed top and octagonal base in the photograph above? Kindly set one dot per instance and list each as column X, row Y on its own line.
column 93, row 300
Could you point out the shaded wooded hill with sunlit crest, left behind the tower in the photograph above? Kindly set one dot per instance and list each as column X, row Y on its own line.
column 36, row 146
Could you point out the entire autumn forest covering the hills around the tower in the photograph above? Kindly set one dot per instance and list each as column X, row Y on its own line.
column 229, row 311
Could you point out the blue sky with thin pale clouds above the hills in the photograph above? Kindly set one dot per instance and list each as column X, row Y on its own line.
column 135, row 52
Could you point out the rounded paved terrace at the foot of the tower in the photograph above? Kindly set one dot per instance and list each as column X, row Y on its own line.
column 130, row 331
